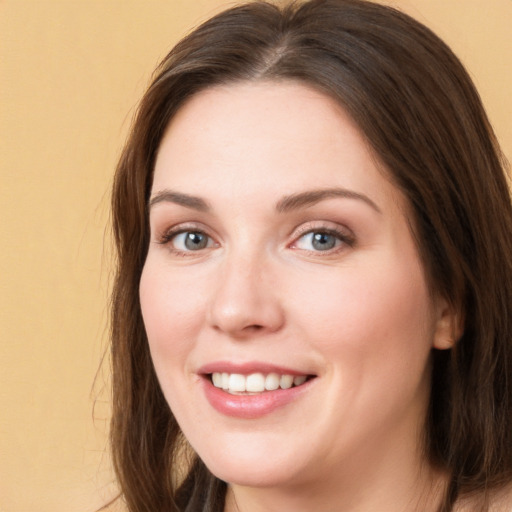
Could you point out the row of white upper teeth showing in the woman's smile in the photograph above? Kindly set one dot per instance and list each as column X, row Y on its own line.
column 255, row 382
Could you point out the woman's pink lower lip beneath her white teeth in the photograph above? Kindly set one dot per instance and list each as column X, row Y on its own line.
column 251, row 406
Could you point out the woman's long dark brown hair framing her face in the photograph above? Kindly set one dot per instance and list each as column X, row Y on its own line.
column 423, row 118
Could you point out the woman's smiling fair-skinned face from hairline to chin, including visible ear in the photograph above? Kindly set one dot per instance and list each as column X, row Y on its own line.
column 282, row 257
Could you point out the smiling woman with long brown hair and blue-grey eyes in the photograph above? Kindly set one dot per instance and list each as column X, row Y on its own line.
column 312, row 304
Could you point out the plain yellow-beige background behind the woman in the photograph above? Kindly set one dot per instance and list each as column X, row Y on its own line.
column 70, row 75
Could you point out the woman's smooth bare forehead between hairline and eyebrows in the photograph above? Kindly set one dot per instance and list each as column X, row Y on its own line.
column 241, row 138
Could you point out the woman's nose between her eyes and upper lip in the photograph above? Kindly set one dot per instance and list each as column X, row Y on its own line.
column 246, row 300
